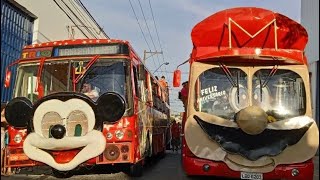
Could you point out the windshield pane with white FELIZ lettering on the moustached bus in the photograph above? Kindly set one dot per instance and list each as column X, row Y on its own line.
column 222, row 94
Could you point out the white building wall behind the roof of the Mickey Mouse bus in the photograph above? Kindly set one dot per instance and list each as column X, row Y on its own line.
column 59, row 20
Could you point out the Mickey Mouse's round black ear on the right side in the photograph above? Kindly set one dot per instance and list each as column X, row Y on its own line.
column 111, row 107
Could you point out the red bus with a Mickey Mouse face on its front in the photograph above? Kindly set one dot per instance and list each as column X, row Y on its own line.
column 55, row 122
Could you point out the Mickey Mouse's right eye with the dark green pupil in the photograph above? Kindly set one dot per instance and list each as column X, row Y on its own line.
column 77, row 124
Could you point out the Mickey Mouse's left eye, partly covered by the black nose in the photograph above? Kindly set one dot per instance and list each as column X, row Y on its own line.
column 48, row 121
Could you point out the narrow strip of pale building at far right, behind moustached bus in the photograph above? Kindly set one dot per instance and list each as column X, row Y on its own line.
column 310, row 20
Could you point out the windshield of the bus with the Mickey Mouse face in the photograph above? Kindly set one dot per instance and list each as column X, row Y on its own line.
column 105, row 75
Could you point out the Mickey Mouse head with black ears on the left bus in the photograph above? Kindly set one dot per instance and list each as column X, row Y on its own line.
column 64, row 121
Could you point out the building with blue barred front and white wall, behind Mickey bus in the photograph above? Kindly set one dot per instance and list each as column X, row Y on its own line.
column 25, row 22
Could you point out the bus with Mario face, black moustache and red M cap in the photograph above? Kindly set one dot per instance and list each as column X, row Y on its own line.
column 249, row 112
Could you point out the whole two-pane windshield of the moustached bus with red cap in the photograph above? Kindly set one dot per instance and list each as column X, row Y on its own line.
column 223, row 92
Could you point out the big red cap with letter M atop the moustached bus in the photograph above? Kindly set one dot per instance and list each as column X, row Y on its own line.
column 249, row 31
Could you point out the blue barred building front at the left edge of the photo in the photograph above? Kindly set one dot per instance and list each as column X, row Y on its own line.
column 16, row 32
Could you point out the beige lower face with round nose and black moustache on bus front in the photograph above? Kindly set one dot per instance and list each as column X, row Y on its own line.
column 251, row 147
